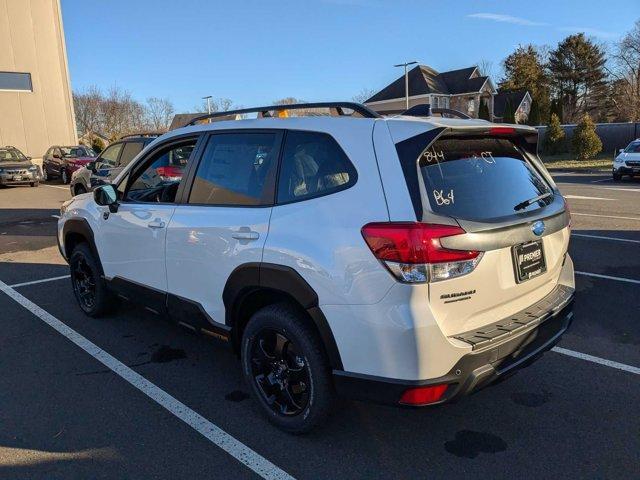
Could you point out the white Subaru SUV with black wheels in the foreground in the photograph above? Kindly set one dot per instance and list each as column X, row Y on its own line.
column 404, row 260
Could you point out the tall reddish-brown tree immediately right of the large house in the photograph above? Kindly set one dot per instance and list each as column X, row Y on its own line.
column 524, row 69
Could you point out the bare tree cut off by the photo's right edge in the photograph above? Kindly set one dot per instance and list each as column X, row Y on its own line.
column 626, row 76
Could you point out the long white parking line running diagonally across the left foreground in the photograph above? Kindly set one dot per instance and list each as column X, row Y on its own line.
column 211, row 432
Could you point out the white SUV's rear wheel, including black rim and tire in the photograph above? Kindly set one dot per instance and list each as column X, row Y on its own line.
column 286, row 368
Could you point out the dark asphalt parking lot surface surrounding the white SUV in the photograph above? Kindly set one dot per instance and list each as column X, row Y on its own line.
column 132, row 396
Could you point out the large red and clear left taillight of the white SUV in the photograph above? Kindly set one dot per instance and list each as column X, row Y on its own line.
column 413, row 254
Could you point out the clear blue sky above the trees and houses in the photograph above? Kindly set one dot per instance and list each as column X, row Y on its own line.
column 257, row 51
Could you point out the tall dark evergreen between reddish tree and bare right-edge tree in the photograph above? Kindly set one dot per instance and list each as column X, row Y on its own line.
column 578, row 77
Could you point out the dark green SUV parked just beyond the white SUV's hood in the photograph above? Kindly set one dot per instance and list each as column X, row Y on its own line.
column 109, row 163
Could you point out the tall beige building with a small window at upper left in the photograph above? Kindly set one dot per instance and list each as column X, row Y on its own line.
column 36, row 106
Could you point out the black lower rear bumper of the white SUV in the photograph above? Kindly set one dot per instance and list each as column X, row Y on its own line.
column 473, row 371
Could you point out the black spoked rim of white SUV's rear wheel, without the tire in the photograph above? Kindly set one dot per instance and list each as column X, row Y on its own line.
column 280, row 372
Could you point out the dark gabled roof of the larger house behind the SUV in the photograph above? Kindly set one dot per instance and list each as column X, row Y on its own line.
column 424, row 80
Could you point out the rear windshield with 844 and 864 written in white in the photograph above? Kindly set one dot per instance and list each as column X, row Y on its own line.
column 478, row 179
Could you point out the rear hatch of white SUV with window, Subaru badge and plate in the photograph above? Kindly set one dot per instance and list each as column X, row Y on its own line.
column 511, row 212
